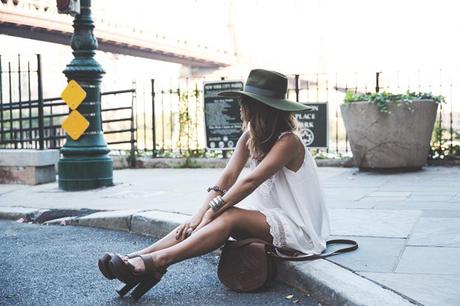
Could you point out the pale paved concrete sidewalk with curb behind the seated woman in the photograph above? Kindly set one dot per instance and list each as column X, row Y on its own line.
column 407, row 226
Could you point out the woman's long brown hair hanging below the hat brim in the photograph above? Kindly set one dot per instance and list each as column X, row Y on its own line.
column 265, row 124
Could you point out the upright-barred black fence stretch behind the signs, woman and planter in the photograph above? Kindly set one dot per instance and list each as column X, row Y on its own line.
column 172, row 124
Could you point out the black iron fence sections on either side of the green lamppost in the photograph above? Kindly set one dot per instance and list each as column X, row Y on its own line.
column 29, row 121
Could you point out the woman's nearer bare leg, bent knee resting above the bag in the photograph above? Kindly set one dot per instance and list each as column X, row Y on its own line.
column 236, row 222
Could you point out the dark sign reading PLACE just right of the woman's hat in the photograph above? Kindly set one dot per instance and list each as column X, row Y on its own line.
column 313, row 125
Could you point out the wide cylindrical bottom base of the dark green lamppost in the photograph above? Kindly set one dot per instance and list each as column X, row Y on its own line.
column 83, row 173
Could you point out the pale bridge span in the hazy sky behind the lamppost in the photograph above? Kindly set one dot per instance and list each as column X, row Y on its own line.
column 40, row 20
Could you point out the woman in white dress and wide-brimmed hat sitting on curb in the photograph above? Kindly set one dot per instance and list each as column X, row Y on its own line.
column 287, row 210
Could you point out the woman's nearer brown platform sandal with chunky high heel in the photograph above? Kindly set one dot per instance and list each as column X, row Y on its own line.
column 144, row 281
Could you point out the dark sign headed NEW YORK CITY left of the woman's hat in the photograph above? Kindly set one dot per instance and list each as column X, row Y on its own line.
column 221, row 115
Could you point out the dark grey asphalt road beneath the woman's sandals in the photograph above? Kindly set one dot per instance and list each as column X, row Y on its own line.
column 57, row 265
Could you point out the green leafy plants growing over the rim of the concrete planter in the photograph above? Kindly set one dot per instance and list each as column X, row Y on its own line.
column 382, row 99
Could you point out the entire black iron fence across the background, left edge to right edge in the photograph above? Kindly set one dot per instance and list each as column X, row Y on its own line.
column 166, row 118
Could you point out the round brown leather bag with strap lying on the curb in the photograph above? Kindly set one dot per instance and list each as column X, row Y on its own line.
column 248, row 265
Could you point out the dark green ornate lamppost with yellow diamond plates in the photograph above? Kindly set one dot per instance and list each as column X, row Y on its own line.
column 85, row 163
